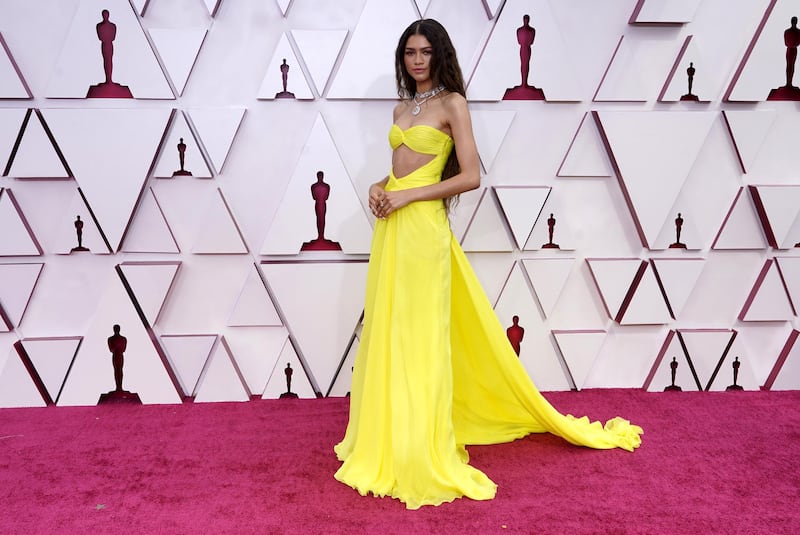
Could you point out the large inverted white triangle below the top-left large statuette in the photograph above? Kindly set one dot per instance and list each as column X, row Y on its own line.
column 110, row 153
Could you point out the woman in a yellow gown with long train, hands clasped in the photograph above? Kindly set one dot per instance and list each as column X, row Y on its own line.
column 434, row 369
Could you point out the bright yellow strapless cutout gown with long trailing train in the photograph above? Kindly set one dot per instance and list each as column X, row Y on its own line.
column 434, row 369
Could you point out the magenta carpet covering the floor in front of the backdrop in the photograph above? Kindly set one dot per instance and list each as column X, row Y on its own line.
column 709, row 463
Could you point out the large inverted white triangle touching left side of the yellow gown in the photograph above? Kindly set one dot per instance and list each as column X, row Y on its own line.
column 314, row 294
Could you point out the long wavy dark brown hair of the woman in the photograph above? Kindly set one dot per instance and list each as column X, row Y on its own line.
column 444, row 71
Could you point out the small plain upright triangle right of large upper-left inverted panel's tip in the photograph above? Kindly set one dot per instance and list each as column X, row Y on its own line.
column 149, row 231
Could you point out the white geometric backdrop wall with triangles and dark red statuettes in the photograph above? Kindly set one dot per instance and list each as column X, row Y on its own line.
column 195, row 173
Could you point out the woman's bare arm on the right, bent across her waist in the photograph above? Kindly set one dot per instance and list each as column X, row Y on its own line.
column 458, row 119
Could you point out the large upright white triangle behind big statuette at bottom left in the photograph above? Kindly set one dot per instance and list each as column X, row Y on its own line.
column 92, row 373
